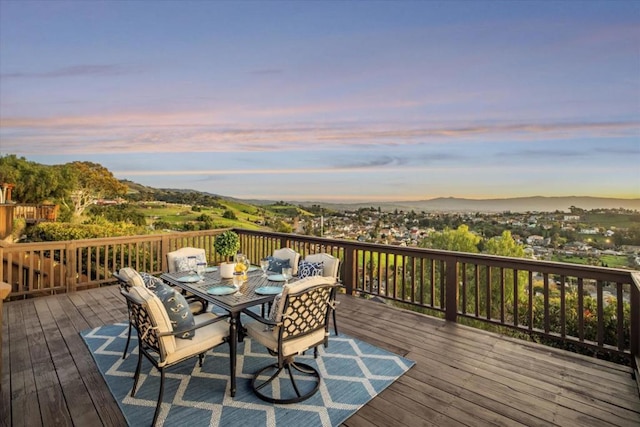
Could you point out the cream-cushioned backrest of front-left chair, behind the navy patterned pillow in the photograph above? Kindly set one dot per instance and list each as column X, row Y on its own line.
column 149, row 317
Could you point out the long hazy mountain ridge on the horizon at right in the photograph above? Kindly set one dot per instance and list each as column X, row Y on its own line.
column 517, row 204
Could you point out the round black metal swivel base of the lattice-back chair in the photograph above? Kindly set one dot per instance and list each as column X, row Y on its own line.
column 310, row 374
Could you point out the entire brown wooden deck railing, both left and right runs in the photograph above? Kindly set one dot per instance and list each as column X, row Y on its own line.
column 593, row 308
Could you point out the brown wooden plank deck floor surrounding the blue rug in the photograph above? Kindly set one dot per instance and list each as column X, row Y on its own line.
column 462, row 376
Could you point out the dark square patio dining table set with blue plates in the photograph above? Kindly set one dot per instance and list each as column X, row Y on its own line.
column 232, row 302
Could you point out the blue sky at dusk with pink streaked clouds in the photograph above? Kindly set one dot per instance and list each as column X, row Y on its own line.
column 330, row 101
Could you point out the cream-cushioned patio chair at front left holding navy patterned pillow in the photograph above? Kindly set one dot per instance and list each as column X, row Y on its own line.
column 162, row 344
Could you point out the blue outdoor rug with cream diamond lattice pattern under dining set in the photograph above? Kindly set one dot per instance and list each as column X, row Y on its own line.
column 352, row 371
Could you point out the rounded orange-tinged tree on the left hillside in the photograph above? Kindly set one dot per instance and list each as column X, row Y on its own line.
column 90, row 182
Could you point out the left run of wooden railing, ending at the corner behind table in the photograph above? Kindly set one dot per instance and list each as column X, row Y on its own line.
column 34, row 269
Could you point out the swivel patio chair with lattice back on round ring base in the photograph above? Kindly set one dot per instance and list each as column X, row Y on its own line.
column 297, row 323
